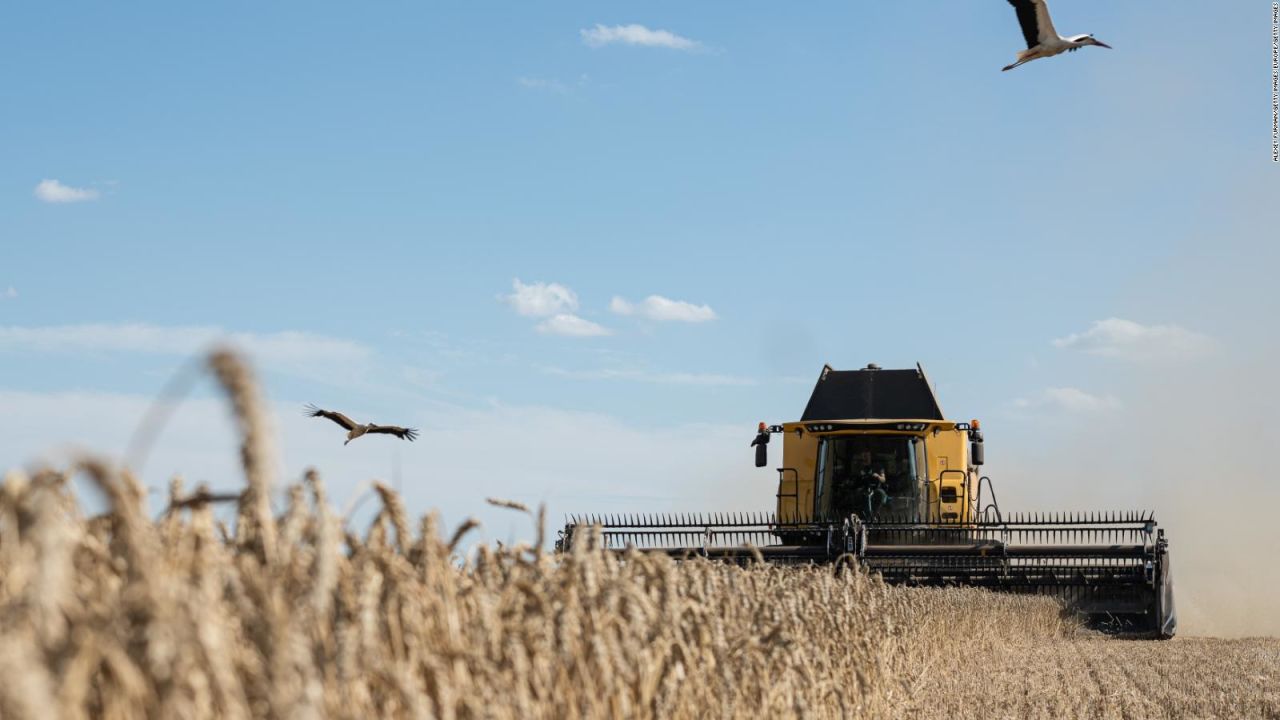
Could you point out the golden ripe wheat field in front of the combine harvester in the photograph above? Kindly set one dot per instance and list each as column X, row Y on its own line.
column 294, row 614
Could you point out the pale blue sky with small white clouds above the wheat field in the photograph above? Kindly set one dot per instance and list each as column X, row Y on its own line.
column 351, row 194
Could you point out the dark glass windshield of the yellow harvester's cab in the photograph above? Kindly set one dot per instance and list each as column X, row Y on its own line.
column 871, row 476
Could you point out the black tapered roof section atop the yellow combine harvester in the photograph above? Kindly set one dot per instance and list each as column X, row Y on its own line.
column 871, row 393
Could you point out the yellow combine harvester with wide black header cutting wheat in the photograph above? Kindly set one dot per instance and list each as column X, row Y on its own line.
column 874, row 473
